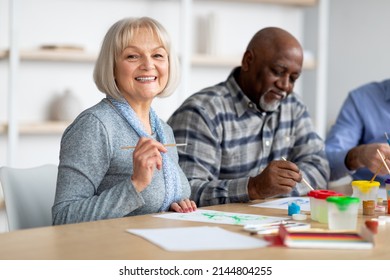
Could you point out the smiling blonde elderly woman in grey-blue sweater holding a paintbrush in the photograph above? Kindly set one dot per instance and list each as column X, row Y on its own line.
column 97, row 179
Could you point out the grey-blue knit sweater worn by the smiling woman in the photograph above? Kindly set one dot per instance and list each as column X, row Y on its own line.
column 94, row 172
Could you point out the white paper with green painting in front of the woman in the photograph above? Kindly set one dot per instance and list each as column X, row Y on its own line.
column 221, row 217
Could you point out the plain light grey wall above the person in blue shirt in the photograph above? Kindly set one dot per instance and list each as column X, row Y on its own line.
column 359, row 48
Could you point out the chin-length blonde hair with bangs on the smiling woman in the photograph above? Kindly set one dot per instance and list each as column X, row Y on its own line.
column 117, row 39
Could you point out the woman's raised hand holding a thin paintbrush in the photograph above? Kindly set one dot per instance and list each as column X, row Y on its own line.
column 146, row 158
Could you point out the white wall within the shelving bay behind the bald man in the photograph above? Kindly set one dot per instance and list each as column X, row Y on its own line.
column 235, row 24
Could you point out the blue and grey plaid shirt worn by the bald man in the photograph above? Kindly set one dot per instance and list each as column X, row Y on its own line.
column 230, row 140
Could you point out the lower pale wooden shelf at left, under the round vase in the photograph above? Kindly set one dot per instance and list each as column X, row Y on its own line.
column 39, row 128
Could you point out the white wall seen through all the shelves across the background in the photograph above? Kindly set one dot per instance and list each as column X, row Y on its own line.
column 84, row 23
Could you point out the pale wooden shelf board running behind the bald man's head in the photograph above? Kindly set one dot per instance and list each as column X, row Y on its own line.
column 231, row 61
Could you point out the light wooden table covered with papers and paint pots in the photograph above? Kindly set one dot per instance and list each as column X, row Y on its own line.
column 108, row 239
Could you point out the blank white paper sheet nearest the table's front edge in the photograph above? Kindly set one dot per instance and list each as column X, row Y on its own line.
column 198, row 238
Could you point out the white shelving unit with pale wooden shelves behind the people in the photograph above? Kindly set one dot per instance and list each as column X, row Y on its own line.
column 15, row 56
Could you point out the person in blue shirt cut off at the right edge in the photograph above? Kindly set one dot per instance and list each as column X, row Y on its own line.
column 360, row 129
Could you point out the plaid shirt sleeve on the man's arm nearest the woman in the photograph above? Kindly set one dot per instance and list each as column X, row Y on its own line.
column 201, row 158
